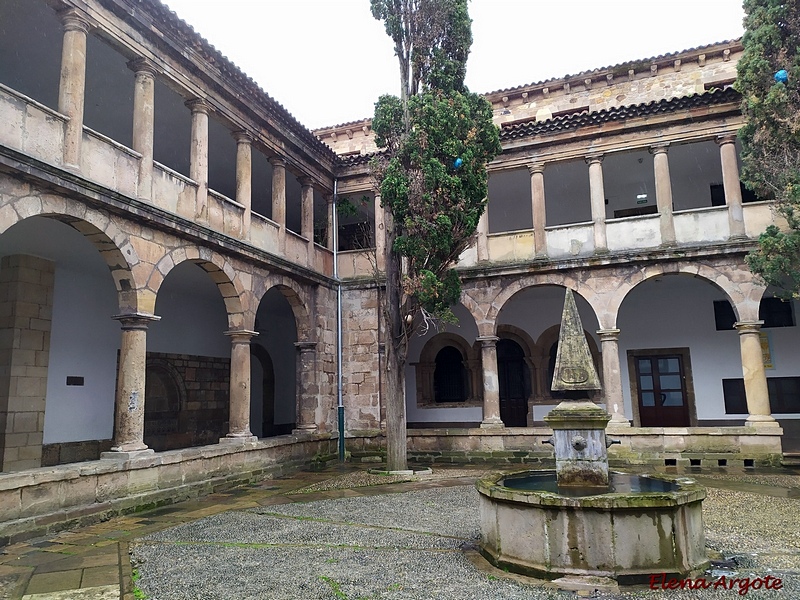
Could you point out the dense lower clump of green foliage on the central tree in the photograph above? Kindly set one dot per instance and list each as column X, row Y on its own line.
column 434, row 204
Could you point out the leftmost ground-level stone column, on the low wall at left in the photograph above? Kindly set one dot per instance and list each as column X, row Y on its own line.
column 129, row 418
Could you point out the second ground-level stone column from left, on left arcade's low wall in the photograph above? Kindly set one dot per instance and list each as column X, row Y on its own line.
column 239, row 420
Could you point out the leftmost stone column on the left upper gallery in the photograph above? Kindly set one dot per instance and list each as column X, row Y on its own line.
column 72, row 87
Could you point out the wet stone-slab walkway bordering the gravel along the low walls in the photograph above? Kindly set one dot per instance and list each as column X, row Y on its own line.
column 92, row 562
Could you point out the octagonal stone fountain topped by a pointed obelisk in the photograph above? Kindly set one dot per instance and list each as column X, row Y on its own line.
column 579, row 520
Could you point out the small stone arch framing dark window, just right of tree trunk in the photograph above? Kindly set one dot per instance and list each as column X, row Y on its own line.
column 426, row 367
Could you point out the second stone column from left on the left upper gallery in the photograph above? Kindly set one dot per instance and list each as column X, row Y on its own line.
column 144, row 122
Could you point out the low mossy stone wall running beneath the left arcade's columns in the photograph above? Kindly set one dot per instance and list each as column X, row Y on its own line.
column 46, row 500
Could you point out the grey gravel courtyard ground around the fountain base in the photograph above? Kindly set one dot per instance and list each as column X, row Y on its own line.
column 412, row 546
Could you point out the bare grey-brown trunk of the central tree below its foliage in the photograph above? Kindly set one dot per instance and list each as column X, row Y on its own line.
column 396, row 353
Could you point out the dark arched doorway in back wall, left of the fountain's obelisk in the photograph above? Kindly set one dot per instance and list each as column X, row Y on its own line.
column 514, row 383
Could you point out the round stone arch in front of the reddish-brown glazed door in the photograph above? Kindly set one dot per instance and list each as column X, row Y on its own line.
column 744, row 296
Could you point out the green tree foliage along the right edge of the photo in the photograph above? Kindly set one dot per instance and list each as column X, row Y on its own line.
column 771, row 136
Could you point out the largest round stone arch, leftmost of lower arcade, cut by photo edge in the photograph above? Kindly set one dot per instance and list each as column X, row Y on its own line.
column 113, row 245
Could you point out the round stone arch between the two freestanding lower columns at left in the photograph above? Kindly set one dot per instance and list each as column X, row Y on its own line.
column 219, row 270
